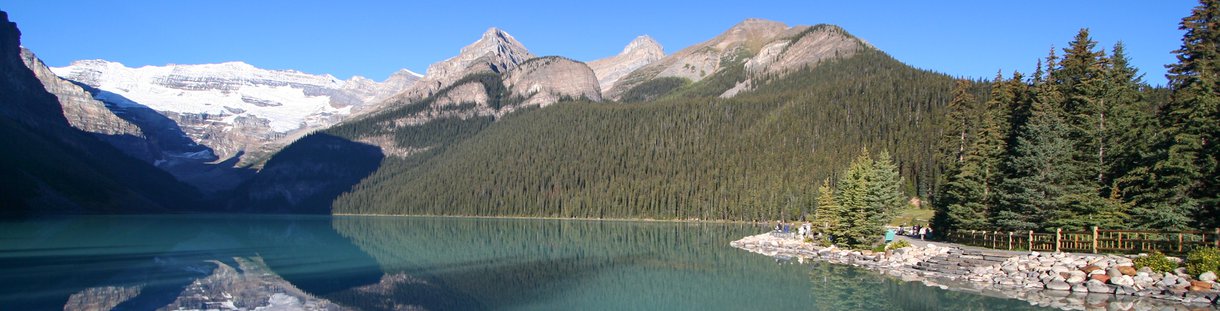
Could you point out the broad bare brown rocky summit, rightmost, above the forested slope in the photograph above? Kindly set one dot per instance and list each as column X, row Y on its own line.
column 763, row 48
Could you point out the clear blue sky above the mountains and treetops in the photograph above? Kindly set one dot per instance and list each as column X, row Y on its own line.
column 376, row 38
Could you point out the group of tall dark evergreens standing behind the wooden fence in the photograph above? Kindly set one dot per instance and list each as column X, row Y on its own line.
column 1084, row 142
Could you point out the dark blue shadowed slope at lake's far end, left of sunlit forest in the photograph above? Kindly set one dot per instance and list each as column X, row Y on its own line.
column 308, row 176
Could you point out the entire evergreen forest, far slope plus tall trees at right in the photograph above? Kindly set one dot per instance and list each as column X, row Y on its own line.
column 1082, row 141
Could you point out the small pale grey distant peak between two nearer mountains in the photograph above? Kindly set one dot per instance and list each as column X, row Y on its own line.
column 640, row 53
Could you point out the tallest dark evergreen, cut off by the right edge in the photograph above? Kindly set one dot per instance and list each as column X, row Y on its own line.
column 1182, row 182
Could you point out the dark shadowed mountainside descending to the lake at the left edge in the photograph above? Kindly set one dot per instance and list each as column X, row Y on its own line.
column 52, row 168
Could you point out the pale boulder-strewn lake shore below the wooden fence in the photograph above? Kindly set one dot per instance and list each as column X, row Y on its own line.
column 1050, row 280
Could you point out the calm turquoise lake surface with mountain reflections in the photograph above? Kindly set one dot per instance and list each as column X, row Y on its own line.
column 218, row 262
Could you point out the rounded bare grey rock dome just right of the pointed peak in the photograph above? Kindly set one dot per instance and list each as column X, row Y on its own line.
column 545, row 81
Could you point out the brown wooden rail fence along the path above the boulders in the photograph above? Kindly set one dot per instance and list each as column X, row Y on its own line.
column 1097, row 241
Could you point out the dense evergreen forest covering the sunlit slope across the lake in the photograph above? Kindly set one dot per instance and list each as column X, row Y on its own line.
column 756, row 157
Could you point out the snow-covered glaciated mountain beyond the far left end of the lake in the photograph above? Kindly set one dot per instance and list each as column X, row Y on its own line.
column 234, row 108
